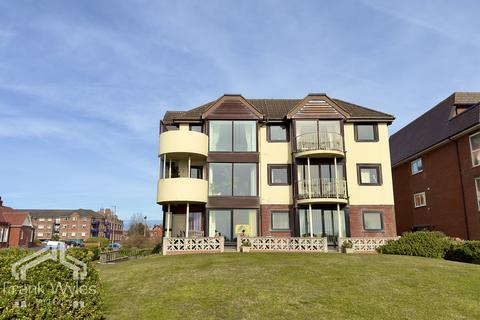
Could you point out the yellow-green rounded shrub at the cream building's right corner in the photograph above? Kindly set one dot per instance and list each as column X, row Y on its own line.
column 422, row 243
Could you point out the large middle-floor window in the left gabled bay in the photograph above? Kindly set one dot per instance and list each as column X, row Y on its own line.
column 232, row 179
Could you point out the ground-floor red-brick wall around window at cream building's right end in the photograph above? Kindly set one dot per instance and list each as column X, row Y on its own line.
column 356, row 221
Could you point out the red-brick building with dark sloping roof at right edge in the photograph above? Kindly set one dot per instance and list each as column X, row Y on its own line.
column 436, row 168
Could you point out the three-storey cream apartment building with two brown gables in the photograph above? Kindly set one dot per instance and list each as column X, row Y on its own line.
column 311, row 167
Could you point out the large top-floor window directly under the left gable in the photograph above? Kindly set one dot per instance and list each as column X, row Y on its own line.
column 236, row 136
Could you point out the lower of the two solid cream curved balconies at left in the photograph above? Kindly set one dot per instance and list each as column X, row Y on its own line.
column 178, row 190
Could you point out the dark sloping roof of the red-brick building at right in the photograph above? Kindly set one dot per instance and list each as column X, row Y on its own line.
column 435, row 126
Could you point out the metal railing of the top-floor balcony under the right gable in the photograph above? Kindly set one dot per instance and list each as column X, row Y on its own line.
column 319, row 141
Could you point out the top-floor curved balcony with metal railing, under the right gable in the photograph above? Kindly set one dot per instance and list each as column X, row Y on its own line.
column 320, row 145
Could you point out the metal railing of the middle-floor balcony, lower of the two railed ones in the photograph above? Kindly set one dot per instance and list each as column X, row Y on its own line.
column 322, row 188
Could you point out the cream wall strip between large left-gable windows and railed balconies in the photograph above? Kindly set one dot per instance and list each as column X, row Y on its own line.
column 273, row 153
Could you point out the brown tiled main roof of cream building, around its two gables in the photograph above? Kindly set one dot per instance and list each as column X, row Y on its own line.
column 278, row 109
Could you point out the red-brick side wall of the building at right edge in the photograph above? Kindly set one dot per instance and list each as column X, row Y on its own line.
column 441, row 180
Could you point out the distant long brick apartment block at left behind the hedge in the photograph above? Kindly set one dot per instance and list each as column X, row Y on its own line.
column 78, row 224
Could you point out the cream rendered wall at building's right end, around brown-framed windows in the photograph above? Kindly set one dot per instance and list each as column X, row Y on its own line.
column 368, row 152
